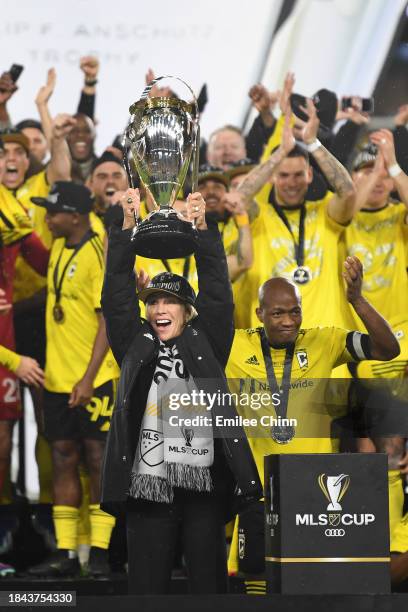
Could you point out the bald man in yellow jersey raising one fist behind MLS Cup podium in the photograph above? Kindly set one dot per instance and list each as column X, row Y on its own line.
column 282, row 352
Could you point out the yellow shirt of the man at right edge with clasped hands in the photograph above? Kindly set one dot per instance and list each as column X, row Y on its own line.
column 379, row 239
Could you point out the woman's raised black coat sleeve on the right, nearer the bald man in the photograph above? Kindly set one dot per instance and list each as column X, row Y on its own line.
column 214, row 301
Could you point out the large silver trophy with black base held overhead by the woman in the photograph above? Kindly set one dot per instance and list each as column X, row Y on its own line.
column 163, row 135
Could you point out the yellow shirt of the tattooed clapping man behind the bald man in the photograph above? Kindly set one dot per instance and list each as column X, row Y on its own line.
column 323, row 297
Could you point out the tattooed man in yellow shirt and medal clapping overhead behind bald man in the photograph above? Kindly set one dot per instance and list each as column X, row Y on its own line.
column 295, row 238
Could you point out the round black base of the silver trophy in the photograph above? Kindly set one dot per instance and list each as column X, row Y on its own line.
column 163, row 235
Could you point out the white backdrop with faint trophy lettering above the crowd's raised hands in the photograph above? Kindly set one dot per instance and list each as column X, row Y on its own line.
column 221, row 43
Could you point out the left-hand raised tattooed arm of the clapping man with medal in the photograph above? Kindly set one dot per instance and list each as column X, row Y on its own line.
column 261, row 174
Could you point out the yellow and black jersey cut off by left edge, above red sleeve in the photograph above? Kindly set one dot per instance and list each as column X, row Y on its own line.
column 15, row 224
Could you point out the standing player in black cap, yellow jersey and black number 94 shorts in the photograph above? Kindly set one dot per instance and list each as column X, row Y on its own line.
column 80, row 375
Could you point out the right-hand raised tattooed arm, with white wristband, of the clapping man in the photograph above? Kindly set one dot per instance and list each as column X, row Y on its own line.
column 341, row 206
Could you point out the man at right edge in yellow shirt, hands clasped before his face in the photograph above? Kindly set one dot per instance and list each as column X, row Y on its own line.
column 378, row 235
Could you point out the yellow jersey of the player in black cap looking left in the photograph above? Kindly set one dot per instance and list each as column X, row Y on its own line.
column 70, row 341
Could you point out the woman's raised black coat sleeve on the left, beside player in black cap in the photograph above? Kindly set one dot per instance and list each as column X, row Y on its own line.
column 120, row 305
